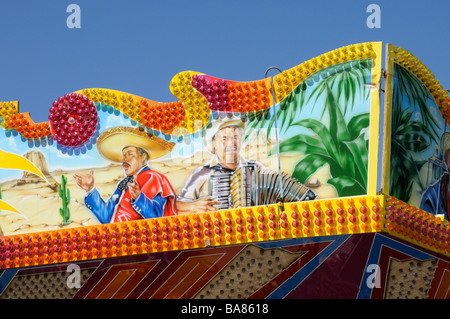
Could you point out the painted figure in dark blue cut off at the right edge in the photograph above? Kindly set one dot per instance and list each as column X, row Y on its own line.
column 436, row 199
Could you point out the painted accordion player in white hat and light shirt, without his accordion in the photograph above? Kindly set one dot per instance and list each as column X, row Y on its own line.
column 224, row 141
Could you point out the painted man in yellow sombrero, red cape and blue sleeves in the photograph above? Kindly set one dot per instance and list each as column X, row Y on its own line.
column 143, row 193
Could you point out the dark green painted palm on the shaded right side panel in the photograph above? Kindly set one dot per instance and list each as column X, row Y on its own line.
column 410, row 134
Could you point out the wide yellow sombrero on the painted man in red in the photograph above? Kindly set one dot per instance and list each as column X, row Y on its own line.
column 111, row 142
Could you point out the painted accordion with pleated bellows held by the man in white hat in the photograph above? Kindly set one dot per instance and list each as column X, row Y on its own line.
column 250, row 185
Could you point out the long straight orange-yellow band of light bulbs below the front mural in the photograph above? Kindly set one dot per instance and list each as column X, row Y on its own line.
column 227, row 227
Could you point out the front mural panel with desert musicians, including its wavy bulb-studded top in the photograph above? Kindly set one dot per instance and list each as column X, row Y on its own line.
column 108, row 156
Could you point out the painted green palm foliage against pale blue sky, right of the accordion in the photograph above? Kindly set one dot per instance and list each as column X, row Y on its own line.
column 335, row 136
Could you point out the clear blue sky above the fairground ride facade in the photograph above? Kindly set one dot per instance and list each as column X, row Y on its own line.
column 138, row 46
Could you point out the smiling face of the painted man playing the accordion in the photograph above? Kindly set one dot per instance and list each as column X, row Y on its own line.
column 227, row 145
